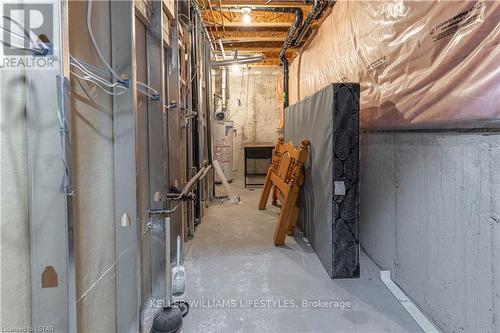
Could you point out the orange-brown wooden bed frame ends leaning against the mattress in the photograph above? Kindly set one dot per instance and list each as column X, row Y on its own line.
column 286, row 176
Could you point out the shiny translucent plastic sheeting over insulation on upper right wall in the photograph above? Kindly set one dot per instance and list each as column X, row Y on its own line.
column 420, row 64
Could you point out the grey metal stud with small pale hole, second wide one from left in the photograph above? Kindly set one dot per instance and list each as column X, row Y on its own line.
column 126, row 230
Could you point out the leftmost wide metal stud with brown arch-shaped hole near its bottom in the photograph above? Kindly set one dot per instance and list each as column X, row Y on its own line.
column 53, row 296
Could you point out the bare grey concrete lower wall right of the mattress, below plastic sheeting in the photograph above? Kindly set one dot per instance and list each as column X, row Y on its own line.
column 430, row 213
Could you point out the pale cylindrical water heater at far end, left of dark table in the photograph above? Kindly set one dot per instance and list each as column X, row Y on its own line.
column 223, row 147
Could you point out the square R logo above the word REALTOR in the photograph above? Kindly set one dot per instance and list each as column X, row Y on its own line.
column 27, row 29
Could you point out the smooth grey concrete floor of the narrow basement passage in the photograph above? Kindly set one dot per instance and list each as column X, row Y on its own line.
column 232, row 262
